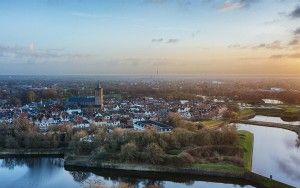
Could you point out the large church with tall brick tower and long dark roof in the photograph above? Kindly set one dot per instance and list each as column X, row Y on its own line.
column 84, row 101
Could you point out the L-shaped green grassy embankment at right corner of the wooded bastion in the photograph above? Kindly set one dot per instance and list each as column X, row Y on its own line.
column 246, row 142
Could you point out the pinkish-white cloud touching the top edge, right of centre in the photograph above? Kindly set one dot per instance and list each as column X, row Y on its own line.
column 230, row 5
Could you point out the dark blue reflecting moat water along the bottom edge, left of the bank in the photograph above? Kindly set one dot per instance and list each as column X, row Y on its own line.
column 50, row 172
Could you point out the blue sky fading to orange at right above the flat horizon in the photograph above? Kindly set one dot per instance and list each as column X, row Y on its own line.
column 94, row 37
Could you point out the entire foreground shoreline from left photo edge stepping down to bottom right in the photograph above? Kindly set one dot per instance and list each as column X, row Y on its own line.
column 244, row 177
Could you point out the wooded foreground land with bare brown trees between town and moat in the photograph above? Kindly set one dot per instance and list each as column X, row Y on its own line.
column 210, row 148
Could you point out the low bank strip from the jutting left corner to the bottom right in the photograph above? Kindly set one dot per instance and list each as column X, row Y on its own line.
column 246, row 177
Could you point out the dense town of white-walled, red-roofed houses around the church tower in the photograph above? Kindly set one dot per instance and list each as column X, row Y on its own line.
column 84, row 111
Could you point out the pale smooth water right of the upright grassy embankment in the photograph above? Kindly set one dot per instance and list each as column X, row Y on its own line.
column 276, row 152
